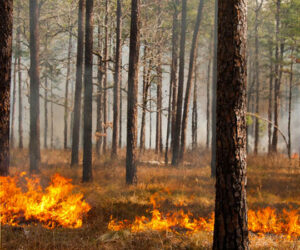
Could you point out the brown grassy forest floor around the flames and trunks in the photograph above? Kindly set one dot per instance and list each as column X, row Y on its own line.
column 272, row 181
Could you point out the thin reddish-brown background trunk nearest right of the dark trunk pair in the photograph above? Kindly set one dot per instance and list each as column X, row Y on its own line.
column 99, row 127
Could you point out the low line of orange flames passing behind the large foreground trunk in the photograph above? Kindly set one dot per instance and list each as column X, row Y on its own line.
column 261, row 222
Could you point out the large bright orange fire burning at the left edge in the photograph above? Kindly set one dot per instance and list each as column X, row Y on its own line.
column 23, row 203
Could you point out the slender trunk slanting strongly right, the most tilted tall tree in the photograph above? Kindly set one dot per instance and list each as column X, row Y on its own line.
column 190, row 78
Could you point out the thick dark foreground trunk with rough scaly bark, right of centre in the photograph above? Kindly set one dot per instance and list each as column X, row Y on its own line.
column 231, row 230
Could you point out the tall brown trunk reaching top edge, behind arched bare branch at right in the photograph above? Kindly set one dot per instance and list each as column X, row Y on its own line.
column 277, row 80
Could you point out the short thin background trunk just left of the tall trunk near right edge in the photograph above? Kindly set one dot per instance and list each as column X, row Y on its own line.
column 270, row 100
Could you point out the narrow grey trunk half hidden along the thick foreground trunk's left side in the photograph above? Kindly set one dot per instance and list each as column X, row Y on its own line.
column 214, row 96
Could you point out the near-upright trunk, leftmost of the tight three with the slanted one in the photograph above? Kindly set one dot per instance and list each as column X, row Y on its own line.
column 174, row 66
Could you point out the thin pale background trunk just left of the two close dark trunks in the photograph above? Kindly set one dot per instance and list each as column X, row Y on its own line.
column 66, row 104
